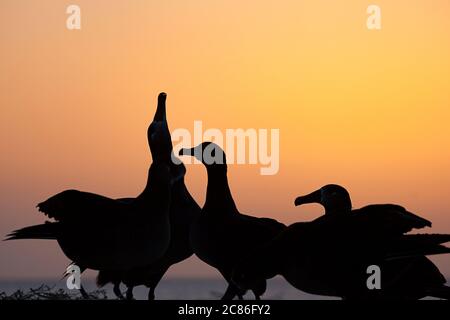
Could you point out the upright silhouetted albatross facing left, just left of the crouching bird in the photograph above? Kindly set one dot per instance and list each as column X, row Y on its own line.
column 222, row 236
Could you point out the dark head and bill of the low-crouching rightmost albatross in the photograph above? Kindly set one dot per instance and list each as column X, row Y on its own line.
column 333, row 197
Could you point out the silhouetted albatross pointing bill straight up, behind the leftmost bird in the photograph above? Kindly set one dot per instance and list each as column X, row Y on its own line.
column 183, row 210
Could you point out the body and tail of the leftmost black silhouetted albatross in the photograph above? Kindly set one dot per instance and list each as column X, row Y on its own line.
column 97, row 232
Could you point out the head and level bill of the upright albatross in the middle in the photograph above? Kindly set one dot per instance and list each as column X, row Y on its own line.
column 209, row 153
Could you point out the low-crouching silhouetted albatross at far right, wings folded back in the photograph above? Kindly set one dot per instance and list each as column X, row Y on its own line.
column 330, row 255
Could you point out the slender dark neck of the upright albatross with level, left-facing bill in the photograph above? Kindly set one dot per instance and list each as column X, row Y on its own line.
column 218, row 194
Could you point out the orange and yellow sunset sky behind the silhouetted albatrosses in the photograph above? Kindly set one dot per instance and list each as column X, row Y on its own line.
column 365, row 109
